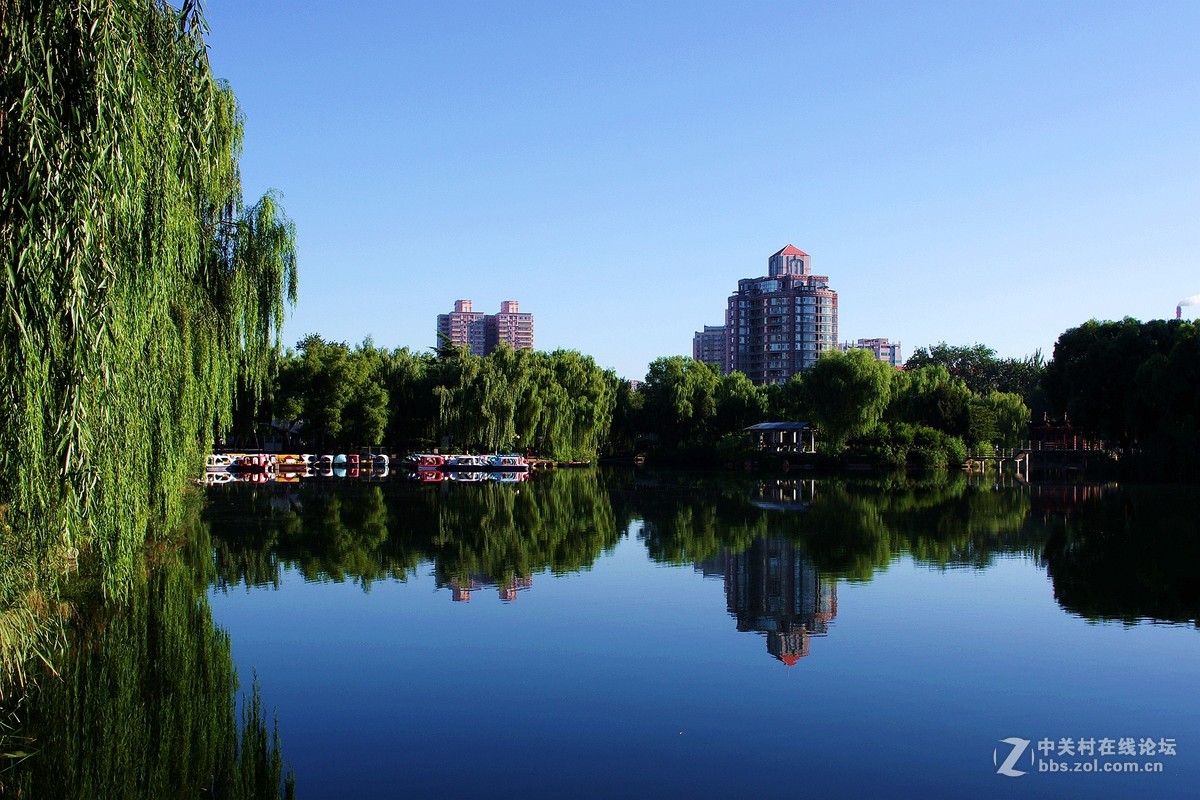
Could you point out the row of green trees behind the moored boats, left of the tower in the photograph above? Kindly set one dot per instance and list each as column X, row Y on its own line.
column 560, row 405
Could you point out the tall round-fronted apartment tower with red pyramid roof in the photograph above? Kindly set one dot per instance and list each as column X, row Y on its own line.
column 778, row 326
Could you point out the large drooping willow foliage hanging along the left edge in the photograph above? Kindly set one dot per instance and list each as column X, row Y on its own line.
column 136, row 286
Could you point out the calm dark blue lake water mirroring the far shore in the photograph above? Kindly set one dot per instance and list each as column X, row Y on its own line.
column 641, row 634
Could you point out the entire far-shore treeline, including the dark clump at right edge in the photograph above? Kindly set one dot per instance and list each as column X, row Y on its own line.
column 1126, row 388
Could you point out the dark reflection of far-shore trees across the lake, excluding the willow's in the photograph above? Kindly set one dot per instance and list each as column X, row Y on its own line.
column 496, row 536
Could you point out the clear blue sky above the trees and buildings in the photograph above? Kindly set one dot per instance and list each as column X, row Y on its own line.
column 963, row 172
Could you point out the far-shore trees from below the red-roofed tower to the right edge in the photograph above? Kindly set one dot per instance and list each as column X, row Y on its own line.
column 1132, row 386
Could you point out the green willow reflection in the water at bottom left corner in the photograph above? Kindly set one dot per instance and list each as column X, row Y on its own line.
column 145, row 703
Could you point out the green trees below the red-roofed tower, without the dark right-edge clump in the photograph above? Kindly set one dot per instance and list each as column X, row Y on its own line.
column 923, row 414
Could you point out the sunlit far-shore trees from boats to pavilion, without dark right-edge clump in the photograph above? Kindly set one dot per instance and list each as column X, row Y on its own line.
column 561, row 405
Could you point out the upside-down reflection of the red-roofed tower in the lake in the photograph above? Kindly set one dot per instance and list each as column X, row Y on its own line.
column 771, row 588
